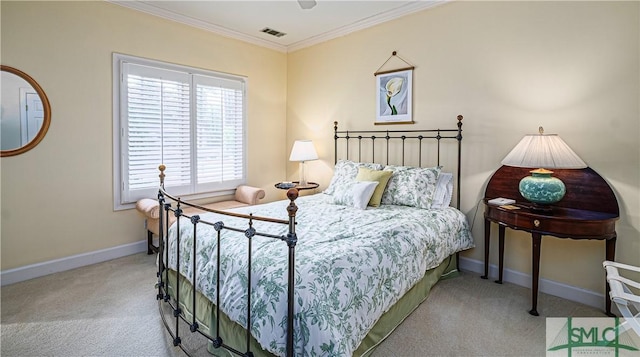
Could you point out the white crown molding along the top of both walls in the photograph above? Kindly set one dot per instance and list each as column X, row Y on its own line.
column 407, row 9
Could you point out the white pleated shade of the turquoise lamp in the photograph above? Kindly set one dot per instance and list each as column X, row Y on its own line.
column 547, row 151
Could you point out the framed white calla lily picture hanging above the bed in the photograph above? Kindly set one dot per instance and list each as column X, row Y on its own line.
column 394, row 97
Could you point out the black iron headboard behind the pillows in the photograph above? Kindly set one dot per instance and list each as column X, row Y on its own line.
column 399, row 139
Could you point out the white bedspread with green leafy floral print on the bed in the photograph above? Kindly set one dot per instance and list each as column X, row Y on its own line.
column 351, row 266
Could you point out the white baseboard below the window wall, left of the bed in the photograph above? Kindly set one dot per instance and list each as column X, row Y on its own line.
column 75, row 261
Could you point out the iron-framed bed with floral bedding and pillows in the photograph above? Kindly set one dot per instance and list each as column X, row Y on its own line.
column 332, row 279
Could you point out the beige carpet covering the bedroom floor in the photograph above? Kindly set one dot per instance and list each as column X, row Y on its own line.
column 110, row 309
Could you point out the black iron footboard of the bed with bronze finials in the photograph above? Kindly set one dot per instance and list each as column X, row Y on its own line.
column 250, row 233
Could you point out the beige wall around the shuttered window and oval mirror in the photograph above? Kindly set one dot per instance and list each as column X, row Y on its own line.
column 57, row 198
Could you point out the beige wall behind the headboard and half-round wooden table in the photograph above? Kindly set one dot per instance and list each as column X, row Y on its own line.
column 508, row 67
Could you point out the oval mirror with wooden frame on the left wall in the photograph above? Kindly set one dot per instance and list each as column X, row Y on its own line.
column 25, row 113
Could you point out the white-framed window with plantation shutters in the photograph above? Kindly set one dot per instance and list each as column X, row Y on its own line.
column 191, row 120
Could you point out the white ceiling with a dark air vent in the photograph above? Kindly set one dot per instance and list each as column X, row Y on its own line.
column 245, row 20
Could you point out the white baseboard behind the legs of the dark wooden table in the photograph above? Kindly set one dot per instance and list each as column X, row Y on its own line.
column 550, row 287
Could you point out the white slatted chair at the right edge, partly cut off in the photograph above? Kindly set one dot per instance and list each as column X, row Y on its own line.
column 627, row 302
